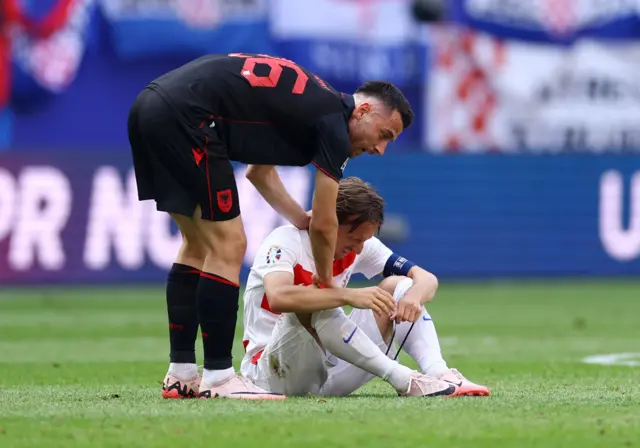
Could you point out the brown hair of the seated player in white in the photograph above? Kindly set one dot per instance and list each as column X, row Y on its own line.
column 358, row 202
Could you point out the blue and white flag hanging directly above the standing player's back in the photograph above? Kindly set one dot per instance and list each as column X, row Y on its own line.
column 147, row 28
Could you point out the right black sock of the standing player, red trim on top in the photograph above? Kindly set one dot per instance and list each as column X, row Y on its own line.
column 217, row 301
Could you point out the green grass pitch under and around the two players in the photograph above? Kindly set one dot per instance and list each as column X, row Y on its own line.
column 82, row 368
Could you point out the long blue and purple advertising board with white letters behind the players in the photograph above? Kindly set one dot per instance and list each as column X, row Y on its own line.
column 75, row 218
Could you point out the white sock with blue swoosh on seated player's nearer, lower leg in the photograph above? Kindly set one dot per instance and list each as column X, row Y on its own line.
column 343, row 338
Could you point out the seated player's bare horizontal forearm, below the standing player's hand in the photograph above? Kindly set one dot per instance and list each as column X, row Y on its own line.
column 304, row 299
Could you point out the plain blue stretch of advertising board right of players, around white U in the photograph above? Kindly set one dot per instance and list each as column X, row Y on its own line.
column 476, row 216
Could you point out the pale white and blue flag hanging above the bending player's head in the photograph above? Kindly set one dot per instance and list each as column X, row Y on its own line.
column 350, row 40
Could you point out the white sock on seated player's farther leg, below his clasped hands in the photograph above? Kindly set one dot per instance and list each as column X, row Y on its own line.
column 422, row 341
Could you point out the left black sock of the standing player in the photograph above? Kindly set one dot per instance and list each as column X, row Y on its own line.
column 182, row 285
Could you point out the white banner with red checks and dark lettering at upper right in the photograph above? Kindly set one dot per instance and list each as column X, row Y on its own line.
column 490, row 95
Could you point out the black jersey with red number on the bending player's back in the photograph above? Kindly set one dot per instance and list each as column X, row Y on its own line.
column 267, row 110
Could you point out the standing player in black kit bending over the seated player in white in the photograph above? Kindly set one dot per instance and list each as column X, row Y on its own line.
column 186, row 127
